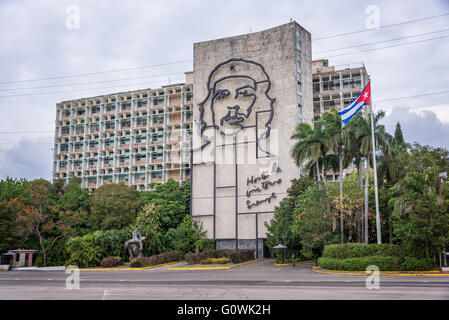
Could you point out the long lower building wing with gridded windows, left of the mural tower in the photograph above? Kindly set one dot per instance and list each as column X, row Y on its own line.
column 138, row 137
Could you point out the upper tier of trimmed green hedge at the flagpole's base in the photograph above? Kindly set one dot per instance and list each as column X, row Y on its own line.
column 360, row 250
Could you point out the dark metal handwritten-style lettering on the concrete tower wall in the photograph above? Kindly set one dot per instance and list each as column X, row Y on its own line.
column 252, row 182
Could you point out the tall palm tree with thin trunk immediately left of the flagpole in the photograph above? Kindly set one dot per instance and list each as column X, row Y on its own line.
column 362, row 128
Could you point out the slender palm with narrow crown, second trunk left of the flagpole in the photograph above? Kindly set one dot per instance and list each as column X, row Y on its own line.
column 335, row 136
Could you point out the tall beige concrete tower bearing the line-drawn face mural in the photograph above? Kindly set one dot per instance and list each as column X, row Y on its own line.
column 250, row 92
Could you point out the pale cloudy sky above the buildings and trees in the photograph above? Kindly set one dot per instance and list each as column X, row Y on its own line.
column 48, row 55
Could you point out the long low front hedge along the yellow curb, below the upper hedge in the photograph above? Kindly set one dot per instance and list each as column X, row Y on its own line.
column 384, row 263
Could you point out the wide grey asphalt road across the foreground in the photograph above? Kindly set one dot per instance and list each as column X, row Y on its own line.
column 261, row 281
